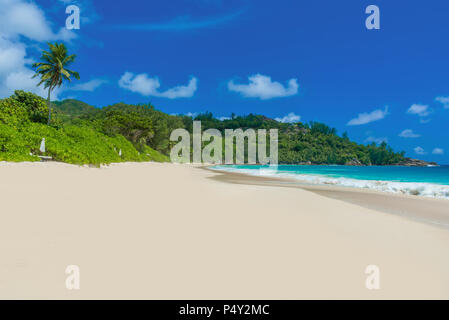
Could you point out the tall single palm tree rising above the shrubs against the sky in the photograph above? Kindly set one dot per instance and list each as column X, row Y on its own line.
column 52, row 69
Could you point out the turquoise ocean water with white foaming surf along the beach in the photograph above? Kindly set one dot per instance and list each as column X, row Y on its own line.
column 421, row 181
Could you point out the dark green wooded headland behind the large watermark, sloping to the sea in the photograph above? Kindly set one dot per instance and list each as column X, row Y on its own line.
column 313, row 142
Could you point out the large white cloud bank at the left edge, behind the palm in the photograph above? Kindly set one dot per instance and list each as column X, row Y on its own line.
column 21, row 19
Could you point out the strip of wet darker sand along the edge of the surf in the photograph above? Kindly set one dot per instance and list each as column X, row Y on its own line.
column 428, row 210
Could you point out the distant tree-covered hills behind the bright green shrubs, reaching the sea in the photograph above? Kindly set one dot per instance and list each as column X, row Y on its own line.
column 299, row 143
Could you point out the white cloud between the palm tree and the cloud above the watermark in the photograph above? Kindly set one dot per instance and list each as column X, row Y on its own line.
column 146, row 86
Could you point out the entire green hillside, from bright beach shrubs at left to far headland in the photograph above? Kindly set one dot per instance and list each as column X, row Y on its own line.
column 82, row 134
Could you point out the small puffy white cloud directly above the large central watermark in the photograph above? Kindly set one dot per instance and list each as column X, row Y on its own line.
column 262, row 87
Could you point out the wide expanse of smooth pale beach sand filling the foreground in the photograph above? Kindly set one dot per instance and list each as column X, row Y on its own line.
column 164, row 231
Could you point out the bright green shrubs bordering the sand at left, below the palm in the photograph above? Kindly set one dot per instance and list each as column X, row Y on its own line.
column 22, row 127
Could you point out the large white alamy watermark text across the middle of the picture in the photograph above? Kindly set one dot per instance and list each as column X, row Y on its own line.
column 207, row 146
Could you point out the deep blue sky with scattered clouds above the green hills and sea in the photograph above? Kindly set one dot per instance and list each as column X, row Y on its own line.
column 285, row 59
